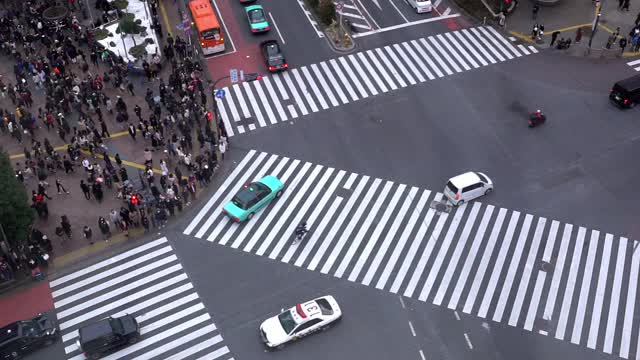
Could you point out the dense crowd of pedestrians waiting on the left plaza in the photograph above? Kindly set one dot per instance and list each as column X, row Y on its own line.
column 83, row 85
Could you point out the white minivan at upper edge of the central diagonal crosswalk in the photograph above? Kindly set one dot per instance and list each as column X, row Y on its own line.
column 467, row 186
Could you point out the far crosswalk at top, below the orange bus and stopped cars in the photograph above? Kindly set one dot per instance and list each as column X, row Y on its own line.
column 308, row 89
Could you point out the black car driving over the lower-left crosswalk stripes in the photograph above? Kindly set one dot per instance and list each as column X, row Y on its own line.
column 108, row 335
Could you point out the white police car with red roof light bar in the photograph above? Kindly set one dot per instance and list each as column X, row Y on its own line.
column 300, row 321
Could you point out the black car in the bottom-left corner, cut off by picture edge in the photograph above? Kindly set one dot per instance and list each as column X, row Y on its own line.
column 22, row 337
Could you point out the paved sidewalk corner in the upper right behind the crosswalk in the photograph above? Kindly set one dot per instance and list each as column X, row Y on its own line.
column 569, row 15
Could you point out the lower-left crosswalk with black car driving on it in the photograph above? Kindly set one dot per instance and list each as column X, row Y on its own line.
column 149, row 283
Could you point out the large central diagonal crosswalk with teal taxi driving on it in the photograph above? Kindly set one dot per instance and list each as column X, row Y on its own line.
column 565, row 281
